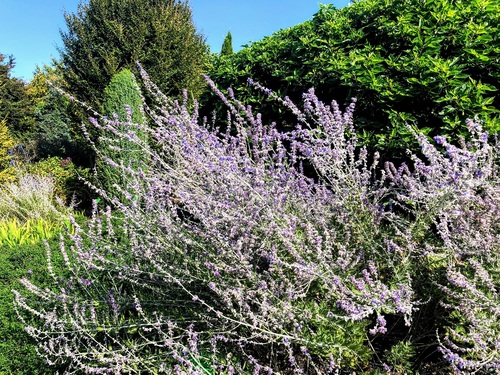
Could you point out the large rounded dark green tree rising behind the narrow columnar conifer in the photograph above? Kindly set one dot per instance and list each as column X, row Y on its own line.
column 105, row 36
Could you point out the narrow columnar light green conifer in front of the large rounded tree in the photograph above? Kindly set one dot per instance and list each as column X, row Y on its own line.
column 121, row 93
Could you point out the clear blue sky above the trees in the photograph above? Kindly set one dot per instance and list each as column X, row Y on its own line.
column 30, row 28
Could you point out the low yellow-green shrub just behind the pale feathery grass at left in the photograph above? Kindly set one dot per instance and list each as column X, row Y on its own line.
column 66, row 177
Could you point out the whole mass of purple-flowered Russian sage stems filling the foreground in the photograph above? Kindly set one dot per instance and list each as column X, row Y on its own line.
column 261, row 252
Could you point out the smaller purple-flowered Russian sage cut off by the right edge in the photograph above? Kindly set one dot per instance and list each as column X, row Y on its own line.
column 458, row 193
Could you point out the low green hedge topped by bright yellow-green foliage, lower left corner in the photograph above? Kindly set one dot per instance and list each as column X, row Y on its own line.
column 23, row 258
